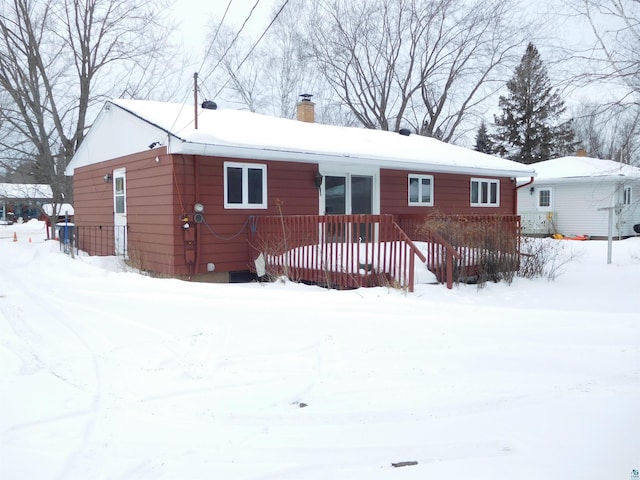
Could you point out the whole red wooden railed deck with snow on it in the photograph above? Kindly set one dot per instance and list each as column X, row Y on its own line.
column 349, row 251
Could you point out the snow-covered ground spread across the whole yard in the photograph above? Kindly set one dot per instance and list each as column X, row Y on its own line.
column 106, row 374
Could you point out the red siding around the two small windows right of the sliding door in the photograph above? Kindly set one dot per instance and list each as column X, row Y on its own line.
column 451, row 195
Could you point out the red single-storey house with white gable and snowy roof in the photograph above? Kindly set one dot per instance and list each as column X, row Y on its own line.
column 185, row 191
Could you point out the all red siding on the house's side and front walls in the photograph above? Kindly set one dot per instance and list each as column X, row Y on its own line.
column 161, row 193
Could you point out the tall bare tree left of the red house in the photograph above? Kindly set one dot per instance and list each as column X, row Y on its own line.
column 58, row 60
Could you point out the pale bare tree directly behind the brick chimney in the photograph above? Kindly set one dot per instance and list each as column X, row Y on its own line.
column 264, row 74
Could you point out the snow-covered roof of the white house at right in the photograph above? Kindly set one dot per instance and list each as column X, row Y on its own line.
column 581, row 168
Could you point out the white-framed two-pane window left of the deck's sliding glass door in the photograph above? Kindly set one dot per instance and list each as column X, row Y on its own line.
column 245, row 185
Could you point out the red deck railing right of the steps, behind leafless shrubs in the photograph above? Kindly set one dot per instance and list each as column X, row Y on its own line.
column 469, row 243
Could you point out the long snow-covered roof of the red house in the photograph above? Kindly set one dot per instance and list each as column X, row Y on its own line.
column 241, row 134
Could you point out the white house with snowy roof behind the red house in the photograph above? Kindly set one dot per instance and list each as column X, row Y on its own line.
column 575, row 195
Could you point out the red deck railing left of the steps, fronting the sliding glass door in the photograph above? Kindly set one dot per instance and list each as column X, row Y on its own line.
column 340, row 251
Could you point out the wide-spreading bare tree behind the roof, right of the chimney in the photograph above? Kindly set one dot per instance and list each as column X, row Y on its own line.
column 427, row 63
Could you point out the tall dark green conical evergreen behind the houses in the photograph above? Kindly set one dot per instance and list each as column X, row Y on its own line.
column 529, row 129
